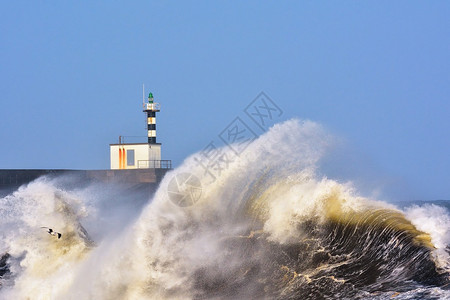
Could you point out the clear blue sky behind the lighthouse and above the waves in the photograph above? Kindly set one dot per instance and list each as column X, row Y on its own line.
column 374, row 73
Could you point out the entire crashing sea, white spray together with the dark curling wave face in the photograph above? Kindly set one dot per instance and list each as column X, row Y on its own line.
column 269, row 227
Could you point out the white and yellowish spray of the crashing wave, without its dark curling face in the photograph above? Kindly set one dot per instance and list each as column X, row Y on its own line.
column 154, row 252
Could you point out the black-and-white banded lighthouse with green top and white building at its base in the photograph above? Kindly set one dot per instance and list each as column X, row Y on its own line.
column 140, row 155
